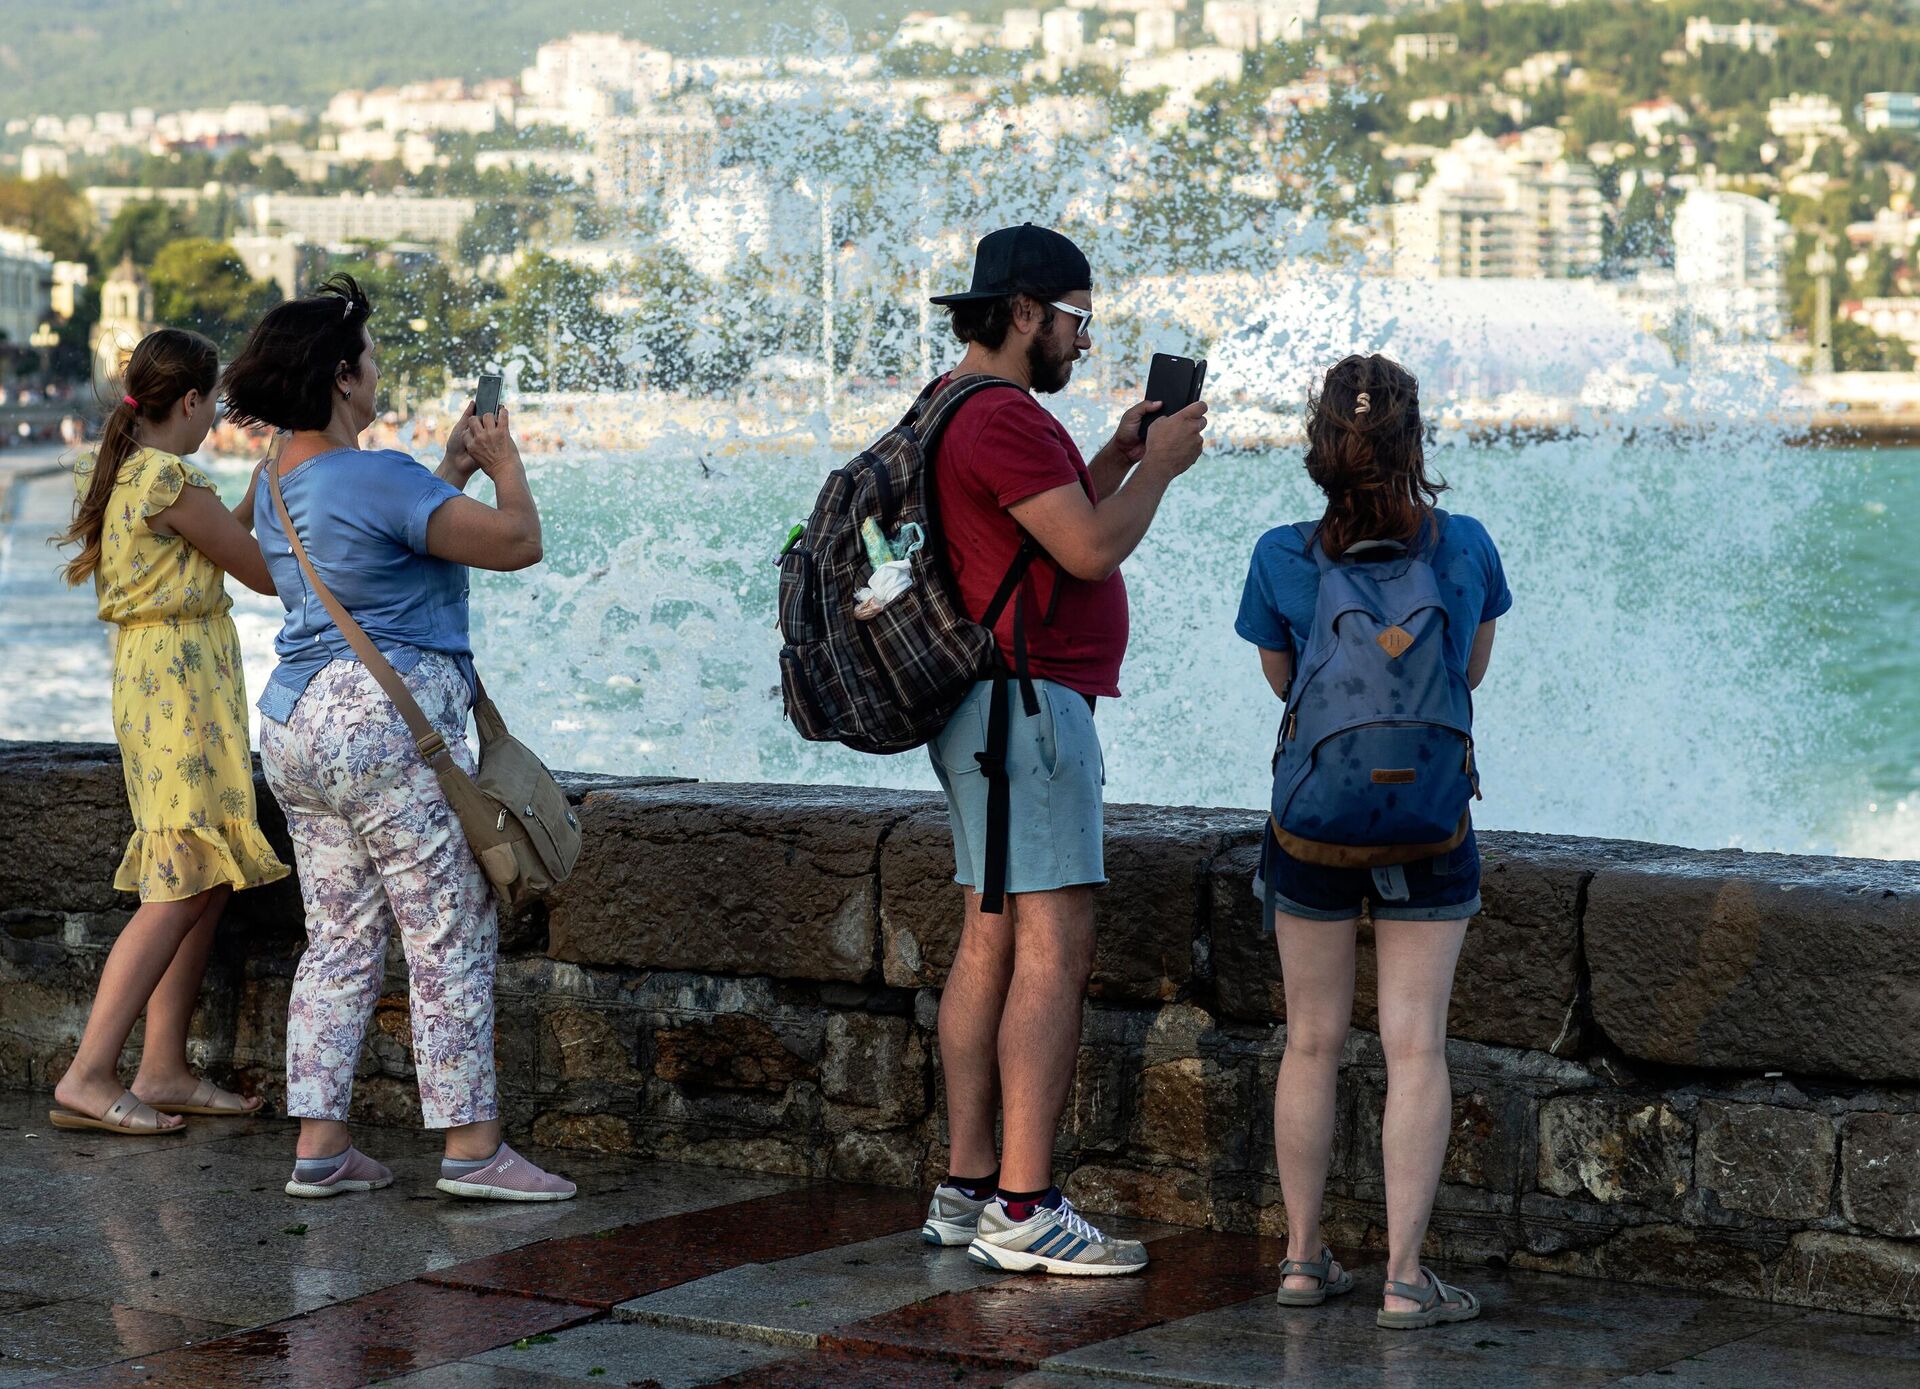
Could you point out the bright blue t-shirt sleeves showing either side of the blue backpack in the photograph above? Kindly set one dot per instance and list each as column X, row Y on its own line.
column 1284, row 587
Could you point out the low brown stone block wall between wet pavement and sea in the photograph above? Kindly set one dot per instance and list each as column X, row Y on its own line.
column 1671, row 1067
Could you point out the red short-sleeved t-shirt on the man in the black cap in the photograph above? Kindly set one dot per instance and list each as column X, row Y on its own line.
column 999, row 451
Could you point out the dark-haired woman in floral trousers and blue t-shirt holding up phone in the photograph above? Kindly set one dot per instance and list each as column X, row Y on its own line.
column 373, row 835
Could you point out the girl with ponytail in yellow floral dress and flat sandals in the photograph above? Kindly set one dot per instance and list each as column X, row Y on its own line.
column 156, row 541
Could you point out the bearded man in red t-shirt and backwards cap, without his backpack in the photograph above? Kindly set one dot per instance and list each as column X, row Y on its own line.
column 1007, row 474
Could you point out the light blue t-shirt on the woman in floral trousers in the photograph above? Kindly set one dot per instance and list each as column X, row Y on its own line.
column 362, row 516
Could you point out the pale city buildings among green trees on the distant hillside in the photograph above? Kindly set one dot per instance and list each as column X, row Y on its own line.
column 1429, row 149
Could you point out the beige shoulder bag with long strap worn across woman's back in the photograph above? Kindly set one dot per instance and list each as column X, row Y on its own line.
column 514, row 812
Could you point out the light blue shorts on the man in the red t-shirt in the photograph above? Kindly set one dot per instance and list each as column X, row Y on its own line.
column 1055, row 773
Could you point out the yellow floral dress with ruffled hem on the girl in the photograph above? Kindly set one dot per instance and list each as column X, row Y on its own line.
column 180, row 696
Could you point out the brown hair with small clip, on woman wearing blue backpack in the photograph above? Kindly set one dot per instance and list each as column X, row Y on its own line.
column 1368, row 452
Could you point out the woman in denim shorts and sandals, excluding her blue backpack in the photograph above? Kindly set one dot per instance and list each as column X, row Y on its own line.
column 1366, row 454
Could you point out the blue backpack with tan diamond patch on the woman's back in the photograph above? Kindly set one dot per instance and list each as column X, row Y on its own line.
column 1376, row 760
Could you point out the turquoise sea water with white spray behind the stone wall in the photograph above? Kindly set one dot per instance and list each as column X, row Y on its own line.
column 1714, row 641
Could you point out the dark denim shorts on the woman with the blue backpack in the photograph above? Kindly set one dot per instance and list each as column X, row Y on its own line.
column 1441, row 889
